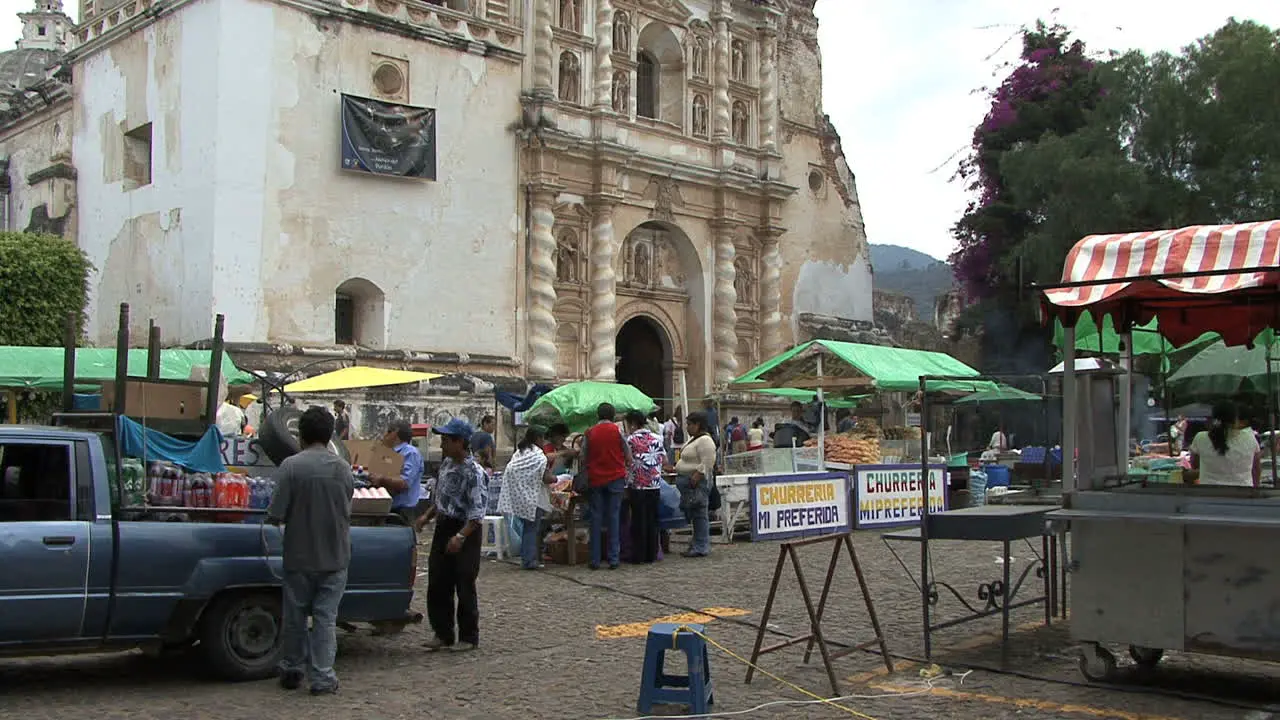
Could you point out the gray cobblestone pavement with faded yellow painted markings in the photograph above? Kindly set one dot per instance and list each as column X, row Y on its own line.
column 541, row 657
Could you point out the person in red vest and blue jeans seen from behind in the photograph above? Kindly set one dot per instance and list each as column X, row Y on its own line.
column 606, row 455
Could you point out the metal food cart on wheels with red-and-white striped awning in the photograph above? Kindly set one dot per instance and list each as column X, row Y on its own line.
column 1164, row 567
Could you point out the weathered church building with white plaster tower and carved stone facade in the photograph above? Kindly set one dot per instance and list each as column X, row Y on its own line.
column 634, row 190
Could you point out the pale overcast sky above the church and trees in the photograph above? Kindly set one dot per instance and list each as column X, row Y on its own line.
column 903, row 79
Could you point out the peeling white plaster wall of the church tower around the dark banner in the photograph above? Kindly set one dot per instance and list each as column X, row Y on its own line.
column 249, row 213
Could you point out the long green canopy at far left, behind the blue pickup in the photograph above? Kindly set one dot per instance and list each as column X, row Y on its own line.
column 42, row 368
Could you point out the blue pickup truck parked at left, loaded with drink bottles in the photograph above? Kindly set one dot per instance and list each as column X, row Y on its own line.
column 76, row 577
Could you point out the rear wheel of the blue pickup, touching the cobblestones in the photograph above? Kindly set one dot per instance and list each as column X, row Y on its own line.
column 241, row 636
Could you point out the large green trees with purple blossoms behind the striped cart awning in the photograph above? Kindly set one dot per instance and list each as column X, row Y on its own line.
column 1137, row 143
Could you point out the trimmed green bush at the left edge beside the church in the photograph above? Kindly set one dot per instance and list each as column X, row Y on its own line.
column 43, row 279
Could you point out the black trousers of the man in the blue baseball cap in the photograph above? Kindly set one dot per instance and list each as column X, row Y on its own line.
column 454, row 575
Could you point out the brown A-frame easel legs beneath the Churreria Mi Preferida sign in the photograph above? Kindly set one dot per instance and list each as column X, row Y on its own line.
column 839, row 543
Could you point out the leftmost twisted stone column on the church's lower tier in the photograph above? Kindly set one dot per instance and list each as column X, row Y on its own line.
column 542, row 288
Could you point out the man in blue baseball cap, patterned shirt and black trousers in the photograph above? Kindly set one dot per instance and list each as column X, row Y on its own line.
column 455, row 559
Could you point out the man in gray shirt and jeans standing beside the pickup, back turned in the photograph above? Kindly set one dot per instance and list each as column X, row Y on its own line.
column 313, row 500
